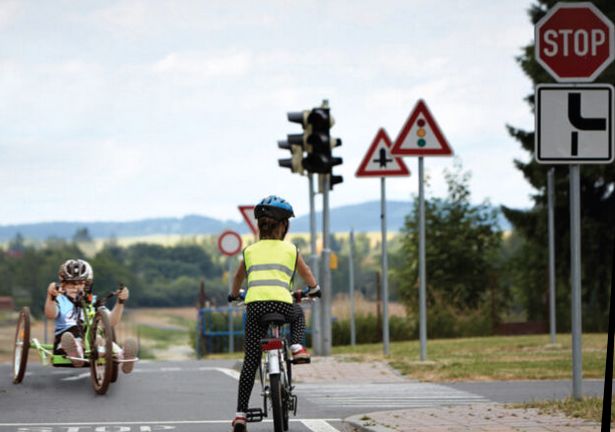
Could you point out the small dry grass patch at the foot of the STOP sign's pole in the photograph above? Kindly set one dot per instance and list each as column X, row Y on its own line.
column 588, row 408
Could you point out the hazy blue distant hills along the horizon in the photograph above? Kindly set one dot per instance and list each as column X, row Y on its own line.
column 360, row 217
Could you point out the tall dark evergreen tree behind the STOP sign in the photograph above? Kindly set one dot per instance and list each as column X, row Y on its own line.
column 597, row 206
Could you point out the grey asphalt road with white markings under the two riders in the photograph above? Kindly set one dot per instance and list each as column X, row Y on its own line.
column 201, row 395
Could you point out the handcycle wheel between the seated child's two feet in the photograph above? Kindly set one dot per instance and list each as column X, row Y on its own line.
column 101, row 352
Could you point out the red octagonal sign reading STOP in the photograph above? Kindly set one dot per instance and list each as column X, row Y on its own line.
column 574, row 42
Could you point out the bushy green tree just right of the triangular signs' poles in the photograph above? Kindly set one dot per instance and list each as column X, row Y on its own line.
column 462, row 245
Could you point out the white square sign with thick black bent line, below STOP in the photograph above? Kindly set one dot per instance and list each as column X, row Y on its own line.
column 574, row 124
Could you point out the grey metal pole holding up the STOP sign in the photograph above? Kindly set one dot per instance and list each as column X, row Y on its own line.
column 575, row 279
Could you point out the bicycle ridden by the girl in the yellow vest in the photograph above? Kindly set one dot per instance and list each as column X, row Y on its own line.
column 275, row 369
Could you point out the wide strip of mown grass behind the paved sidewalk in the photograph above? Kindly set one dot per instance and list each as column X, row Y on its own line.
column 488, row 358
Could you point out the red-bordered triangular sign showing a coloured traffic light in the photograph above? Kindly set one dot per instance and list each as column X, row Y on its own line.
column 421, row 135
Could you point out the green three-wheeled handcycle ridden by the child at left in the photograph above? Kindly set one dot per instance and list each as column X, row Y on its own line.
column 98, row 343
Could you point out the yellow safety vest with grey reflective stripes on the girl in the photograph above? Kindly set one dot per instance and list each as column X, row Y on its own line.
column 270, row 266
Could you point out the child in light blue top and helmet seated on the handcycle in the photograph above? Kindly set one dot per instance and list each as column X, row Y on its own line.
column 62, row 306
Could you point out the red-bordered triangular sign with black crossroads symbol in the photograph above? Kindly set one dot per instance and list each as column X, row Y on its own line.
column 378, row 161
